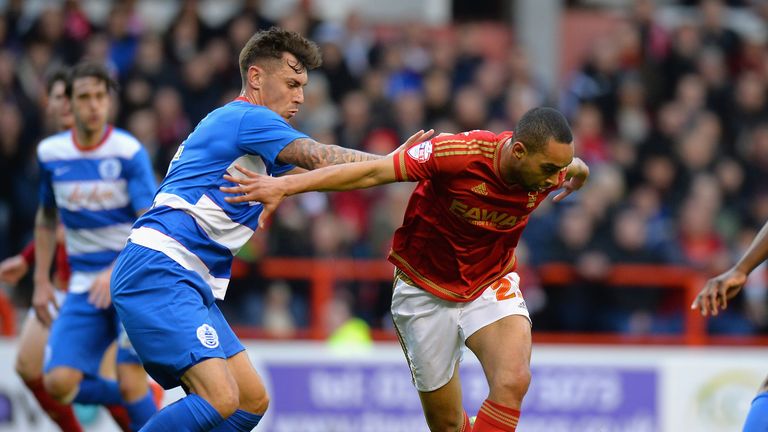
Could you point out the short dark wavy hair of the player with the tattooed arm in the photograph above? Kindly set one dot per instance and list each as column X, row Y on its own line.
column 272, row 43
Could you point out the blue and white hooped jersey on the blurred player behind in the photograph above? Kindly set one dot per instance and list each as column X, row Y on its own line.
column 98, row 192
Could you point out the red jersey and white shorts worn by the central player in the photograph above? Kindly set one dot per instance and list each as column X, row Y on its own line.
column 455, row 251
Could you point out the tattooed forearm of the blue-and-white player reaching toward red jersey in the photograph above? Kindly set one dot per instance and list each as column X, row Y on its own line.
column 310, row 154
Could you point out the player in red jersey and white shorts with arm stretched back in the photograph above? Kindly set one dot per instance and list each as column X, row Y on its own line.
column 455, row 282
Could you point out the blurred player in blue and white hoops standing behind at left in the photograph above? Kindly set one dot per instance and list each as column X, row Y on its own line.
column 97, row 179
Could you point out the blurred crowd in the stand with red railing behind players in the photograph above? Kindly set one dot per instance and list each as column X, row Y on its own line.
column 668, row 101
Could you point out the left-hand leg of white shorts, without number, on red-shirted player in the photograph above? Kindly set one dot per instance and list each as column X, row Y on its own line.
column 428, row 330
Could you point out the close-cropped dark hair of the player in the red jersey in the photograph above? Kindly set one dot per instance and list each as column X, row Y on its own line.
column 538, row 125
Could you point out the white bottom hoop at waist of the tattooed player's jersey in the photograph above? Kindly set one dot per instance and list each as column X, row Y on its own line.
column 160, row 242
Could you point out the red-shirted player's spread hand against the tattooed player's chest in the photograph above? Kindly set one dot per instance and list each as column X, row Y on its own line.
column 255, row 187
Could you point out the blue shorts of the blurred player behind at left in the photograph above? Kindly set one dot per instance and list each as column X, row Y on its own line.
column 81, row 334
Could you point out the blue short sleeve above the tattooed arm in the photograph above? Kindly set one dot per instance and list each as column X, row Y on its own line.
column 264, row 133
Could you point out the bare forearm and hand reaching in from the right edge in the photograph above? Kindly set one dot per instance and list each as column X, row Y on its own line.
column 718, row 290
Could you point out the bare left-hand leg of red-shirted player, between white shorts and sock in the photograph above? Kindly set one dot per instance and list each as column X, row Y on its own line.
column 443, row 407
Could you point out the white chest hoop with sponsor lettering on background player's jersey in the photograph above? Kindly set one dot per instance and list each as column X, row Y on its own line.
column 92, row 195
